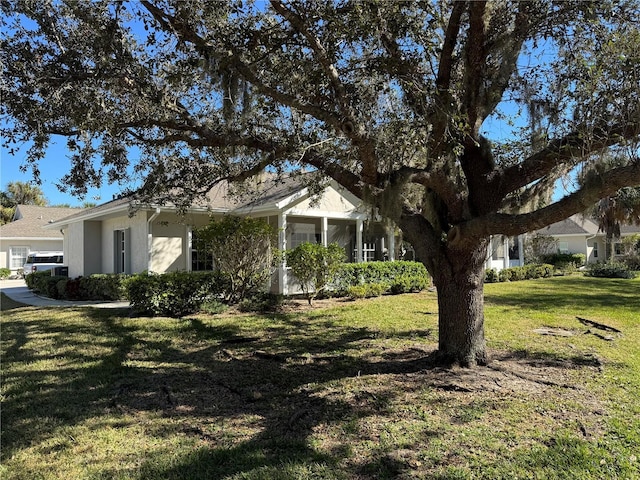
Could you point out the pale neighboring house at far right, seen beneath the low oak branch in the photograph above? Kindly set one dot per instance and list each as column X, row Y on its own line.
column 577, row 234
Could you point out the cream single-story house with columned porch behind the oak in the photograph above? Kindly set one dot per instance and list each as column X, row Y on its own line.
column 112, row 238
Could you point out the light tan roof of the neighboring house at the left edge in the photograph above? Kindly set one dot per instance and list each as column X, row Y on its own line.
column 31, row 218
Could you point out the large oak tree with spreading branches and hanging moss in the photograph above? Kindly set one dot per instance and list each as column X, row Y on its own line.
column 390, row 99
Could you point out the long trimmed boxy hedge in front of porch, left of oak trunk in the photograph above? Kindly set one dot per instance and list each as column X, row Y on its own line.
column 399, row 276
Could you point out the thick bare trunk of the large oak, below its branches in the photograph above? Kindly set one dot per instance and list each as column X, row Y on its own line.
column 460, row 285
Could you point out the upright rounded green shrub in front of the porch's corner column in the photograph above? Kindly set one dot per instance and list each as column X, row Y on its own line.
column 314, row 266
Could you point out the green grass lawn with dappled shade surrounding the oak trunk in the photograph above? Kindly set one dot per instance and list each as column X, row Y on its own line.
column 343, row 392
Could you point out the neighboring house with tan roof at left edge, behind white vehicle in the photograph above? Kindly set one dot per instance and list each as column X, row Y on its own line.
column 24, row 234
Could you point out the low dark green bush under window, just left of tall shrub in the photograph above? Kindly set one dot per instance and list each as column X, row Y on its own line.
column 174, row 294
